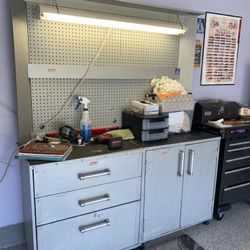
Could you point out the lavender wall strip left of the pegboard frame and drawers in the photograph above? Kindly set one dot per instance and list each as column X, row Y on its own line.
column 10, row 188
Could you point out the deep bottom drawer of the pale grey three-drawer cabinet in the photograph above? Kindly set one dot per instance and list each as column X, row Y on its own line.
column 113, row 229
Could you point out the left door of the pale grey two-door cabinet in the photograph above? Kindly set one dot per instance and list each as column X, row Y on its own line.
column 163, row 184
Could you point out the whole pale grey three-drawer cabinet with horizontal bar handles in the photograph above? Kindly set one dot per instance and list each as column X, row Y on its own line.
column 89, row 203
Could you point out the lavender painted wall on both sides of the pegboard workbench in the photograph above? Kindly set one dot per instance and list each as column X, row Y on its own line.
column 10, row 189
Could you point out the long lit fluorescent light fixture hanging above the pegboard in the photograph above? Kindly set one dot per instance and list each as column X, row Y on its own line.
column 111, row 21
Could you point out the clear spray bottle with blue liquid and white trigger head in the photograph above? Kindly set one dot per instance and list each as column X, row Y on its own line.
column 85, row 123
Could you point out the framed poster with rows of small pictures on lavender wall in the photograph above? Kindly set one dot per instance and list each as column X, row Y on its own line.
column 221, row 44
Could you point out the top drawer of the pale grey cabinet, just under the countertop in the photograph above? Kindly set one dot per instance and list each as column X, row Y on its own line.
column 76, row 174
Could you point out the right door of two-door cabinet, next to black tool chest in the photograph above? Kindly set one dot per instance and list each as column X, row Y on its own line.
column 199, row 182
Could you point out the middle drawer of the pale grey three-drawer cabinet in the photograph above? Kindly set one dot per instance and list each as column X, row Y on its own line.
column 79, row 202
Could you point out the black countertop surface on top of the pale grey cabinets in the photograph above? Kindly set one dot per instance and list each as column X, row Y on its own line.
column 94, row 149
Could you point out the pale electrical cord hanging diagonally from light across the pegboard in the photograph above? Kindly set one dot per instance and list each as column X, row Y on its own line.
column 42, row 126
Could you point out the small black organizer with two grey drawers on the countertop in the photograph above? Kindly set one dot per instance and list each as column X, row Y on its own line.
column 145, row 127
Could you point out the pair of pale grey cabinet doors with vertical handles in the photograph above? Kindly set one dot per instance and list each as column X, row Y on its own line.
column 179, row 187
